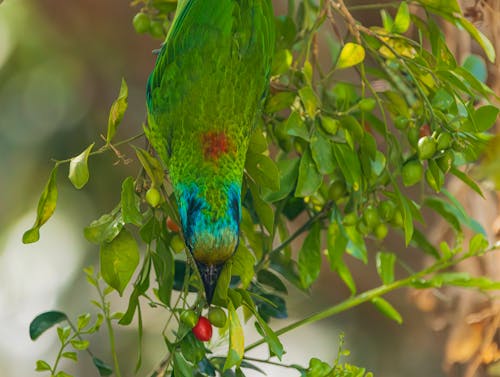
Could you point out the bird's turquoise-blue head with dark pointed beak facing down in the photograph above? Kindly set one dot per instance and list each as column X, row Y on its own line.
column 211, row 235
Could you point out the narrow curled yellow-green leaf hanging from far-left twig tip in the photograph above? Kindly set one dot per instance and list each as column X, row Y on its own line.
column 46, row 207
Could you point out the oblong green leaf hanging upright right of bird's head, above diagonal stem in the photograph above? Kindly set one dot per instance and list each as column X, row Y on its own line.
column 310, row 257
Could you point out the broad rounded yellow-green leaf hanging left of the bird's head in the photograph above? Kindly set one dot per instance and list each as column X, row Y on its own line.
column 119, row 259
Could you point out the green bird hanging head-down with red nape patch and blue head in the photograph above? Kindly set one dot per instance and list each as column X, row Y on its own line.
column 204, row 96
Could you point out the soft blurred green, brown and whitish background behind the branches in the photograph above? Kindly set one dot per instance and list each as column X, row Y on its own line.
column 61, row 64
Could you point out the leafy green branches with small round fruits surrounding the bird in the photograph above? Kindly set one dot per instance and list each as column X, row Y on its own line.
column 338, row 154
